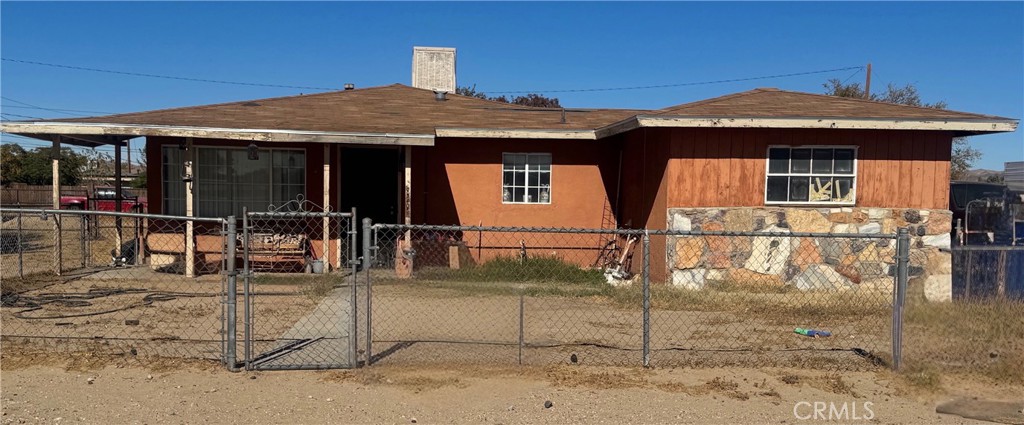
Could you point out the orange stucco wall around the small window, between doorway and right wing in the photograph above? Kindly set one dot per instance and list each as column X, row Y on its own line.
column 459, row 182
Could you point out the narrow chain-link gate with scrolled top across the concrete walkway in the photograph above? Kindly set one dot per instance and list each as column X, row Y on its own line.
column 301, row 294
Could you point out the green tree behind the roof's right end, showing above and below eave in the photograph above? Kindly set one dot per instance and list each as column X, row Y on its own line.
column 963, row 156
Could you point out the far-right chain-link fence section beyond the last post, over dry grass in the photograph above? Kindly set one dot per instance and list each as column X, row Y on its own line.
column 982, row 329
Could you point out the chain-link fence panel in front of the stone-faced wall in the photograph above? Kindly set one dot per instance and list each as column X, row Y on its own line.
column 775, row 299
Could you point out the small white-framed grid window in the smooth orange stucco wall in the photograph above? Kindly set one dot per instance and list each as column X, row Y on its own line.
column 526, row 179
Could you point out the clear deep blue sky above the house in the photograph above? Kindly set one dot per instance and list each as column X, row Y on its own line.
column 969, row 55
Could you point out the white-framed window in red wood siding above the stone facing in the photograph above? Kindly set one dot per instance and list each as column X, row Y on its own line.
column 825, row 176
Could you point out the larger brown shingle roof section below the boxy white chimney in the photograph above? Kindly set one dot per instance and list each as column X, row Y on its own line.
column 394, row 109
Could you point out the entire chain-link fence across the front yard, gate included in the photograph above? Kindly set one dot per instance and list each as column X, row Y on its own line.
column 143, row 285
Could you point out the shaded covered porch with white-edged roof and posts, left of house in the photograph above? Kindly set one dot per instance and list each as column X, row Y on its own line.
column 196, row 174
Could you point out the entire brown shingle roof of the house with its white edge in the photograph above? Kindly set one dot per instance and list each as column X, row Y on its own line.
column 398, row 110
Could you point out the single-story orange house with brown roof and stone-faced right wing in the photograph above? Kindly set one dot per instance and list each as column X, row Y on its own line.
column 401, row 154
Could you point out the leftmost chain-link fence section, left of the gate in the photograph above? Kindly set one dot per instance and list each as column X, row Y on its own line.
column 113, row 283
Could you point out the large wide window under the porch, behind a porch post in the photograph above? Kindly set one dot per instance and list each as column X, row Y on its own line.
column 226, row 180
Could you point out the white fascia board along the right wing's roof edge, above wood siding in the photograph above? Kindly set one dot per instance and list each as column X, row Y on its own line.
column 977, row 126
